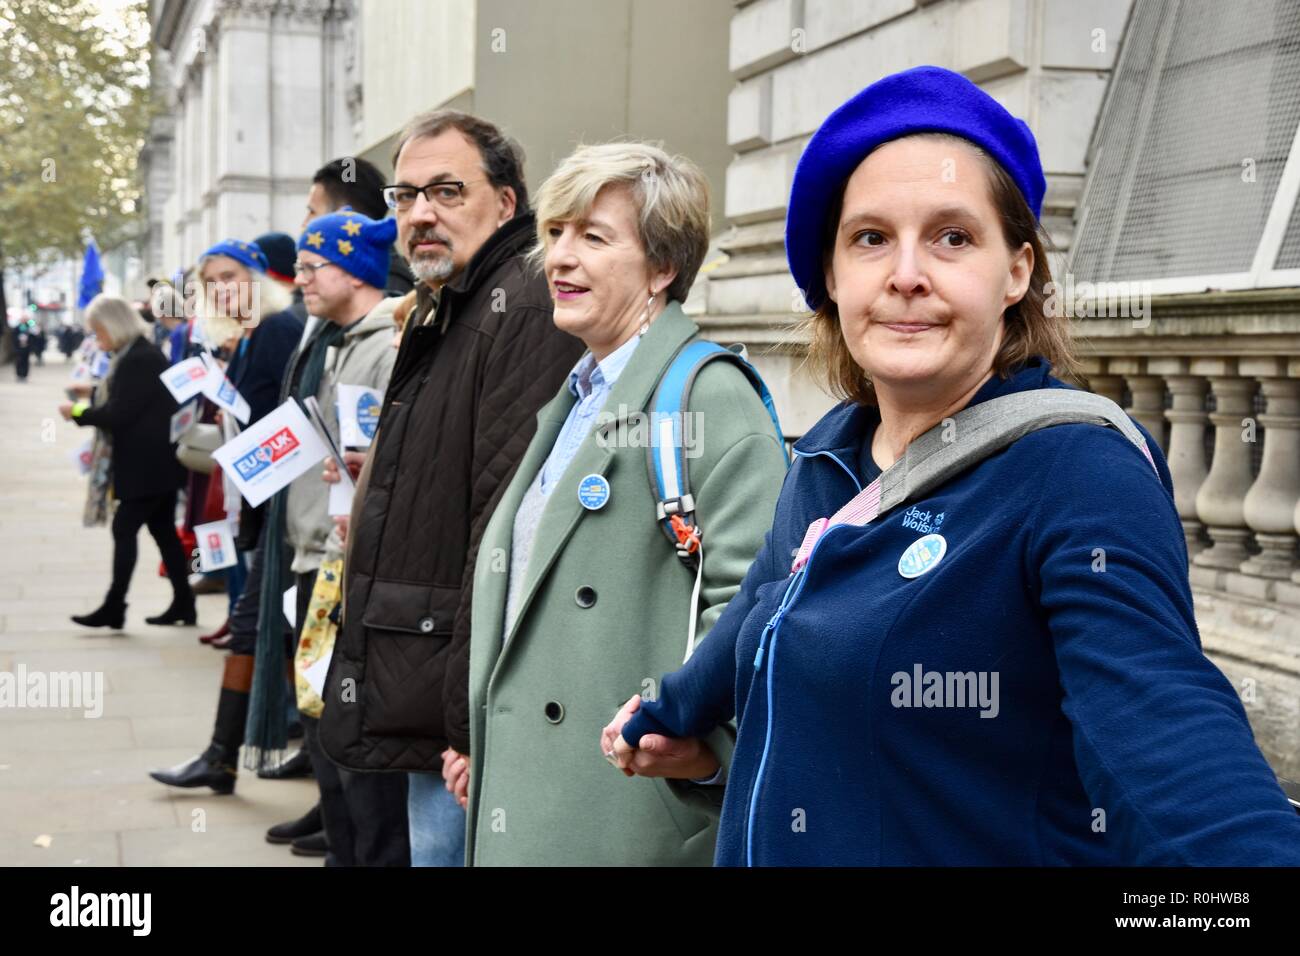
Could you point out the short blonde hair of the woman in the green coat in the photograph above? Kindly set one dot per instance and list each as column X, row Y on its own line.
column 670, row 192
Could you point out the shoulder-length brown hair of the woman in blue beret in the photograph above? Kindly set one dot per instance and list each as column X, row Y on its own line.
column 1029, row 330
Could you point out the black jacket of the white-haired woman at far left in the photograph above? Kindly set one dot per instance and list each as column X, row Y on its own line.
column 138, row 418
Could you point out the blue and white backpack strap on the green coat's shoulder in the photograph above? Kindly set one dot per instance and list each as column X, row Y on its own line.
column 668, row 457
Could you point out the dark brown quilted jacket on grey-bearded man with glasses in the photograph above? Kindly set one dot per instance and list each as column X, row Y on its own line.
column 460, row 413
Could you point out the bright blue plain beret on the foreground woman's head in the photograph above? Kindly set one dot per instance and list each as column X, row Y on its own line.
column 925, row 100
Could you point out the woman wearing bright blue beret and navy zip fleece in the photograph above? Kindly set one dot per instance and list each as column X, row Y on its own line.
column 969, row 638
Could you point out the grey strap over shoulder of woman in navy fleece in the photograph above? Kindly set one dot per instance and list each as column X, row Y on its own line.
column 976, row 434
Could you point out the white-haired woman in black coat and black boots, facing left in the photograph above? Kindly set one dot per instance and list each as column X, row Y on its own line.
column 133, row 412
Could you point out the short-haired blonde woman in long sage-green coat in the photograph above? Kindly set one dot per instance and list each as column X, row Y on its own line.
column 578, row 590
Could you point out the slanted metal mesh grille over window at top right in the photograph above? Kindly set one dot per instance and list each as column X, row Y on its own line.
column 1201, row 88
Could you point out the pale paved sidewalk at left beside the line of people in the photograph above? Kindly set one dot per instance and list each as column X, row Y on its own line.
column 70, row 780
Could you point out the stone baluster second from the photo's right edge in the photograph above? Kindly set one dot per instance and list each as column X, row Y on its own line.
column 1221, row 499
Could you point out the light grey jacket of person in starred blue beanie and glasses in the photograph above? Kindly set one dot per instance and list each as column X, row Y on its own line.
column 365, row 358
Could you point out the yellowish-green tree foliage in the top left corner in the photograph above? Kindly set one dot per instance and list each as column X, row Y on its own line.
column 75, row 113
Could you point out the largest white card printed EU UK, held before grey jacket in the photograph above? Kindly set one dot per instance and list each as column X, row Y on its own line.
column 271, row 453
